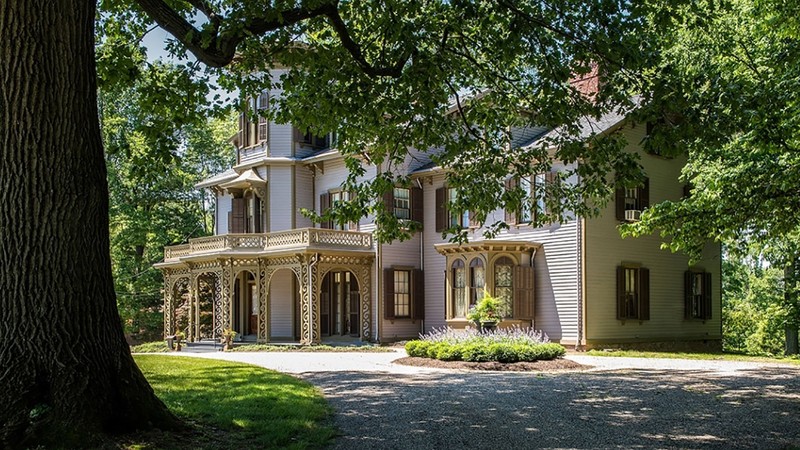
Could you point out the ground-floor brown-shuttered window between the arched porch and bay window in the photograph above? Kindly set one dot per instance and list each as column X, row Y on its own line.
column 403, row 294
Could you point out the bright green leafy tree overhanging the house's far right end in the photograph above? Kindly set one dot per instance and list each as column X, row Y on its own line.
column 727, row 93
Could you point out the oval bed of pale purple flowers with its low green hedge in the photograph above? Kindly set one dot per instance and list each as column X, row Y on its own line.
column 504, row 345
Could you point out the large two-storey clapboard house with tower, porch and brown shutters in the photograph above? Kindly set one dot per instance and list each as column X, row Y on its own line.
column 271, row 275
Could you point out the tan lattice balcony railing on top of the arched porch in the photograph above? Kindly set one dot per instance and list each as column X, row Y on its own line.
column 300, row 239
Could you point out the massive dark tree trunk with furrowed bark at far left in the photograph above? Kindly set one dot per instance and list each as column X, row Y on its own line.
column 66, row 372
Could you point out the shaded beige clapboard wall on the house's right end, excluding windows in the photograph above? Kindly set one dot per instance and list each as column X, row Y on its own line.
column 605, row 250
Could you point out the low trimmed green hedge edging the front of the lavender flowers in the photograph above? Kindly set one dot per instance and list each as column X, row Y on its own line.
column 483, row 352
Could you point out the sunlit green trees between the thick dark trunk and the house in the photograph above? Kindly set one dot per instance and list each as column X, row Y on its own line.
column 153, row 201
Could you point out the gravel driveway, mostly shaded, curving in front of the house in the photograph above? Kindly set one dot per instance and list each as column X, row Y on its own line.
column 624, row 403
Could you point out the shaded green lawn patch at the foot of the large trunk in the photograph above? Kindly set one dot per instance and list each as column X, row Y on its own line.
column 234, row 405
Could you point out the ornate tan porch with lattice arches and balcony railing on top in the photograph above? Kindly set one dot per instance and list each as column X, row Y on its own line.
column 271, row 287
